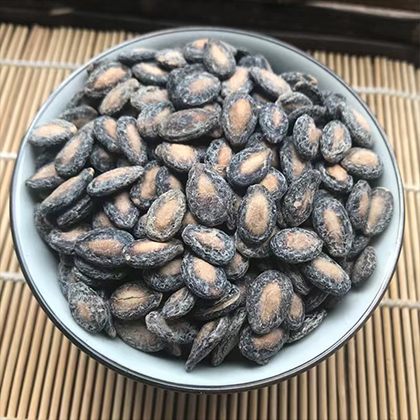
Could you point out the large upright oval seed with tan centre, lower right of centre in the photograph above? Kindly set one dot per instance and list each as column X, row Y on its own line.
column 268, row 300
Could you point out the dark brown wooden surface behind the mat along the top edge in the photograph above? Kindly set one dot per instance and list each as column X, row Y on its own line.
column 386, row 27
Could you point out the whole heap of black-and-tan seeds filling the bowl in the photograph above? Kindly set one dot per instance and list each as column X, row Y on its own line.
column 201, row 203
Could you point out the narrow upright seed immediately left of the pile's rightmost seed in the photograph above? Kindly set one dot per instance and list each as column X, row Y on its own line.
column 358, row 204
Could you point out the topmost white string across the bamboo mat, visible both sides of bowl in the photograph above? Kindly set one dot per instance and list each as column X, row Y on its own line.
column 75, row 66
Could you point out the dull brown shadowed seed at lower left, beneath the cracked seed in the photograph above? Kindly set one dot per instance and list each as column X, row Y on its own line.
column 135, row 334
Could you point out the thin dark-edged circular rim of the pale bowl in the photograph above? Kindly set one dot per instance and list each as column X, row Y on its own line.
column 196, row 388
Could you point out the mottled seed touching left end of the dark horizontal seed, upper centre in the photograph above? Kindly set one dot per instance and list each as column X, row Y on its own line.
column 151, row 117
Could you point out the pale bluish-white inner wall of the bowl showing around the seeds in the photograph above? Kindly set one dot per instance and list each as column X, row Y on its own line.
column 40, row 265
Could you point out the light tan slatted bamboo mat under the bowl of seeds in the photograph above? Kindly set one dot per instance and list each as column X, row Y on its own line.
column 43, row 376
